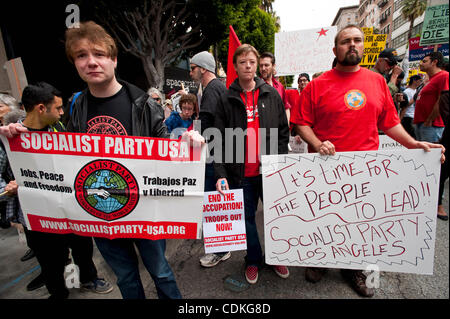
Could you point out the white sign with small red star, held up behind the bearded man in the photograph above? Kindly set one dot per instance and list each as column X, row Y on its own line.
column 307, row 51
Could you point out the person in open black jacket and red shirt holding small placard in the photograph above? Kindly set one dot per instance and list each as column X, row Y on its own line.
column 252, row 106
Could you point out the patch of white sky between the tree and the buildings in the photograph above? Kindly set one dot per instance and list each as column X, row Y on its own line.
column 308, row 14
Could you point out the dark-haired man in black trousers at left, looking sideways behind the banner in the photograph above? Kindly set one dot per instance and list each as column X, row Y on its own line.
column 44, row 107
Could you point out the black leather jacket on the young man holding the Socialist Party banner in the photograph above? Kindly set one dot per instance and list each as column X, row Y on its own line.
column 146, row 114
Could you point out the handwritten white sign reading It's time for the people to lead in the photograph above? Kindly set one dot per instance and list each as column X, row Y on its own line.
column 352, row 210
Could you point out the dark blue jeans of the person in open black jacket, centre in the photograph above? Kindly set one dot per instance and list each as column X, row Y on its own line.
column 252, row 189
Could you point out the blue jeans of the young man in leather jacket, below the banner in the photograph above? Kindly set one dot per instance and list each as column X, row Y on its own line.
column 120, row 254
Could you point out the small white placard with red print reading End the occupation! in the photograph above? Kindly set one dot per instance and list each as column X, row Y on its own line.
column 224, row 221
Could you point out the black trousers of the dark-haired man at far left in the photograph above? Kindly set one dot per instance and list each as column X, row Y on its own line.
column 52, row 251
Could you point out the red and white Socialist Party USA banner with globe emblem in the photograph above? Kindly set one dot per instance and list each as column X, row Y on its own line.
column 108, row 186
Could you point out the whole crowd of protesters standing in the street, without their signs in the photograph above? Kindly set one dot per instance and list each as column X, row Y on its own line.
column 254, row 102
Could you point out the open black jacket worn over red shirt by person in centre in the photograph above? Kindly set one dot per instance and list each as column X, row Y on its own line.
column 231, row 113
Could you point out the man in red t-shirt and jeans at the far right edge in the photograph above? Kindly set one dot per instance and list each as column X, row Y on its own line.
column 429, row 124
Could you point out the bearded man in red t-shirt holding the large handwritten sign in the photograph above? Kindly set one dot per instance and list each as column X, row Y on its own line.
column 342, row 111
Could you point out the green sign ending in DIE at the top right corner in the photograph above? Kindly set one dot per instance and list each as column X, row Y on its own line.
column 435, row 25
